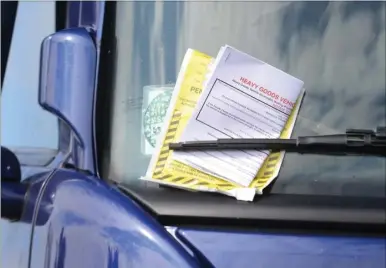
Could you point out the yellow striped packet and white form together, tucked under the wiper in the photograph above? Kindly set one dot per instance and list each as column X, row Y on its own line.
column 232, row 96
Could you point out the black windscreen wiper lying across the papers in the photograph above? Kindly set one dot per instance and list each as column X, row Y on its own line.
column 354, row 142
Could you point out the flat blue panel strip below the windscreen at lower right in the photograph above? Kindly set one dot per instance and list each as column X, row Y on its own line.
column 232, row 249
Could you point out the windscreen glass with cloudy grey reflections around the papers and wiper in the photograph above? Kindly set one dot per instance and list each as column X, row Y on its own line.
column 337, row 48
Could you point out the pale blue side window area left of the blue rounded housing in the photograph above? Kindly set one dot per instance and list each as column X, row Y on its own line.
column 20, row 111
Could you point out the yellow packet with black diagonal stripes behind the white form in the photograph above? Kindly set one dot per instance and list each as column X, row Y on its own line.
column 163, row 169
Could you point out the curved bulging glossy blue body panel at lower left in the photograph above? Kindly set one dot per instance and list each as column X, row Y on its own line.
column 92, row 224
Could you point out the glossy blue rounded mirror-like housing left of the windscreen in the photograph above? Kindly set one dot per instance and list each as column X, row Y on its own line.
column 67, row 88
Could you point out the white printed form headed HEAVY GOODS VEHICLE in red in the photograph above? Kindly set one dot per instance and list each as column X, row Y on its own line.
column 243, row 98
